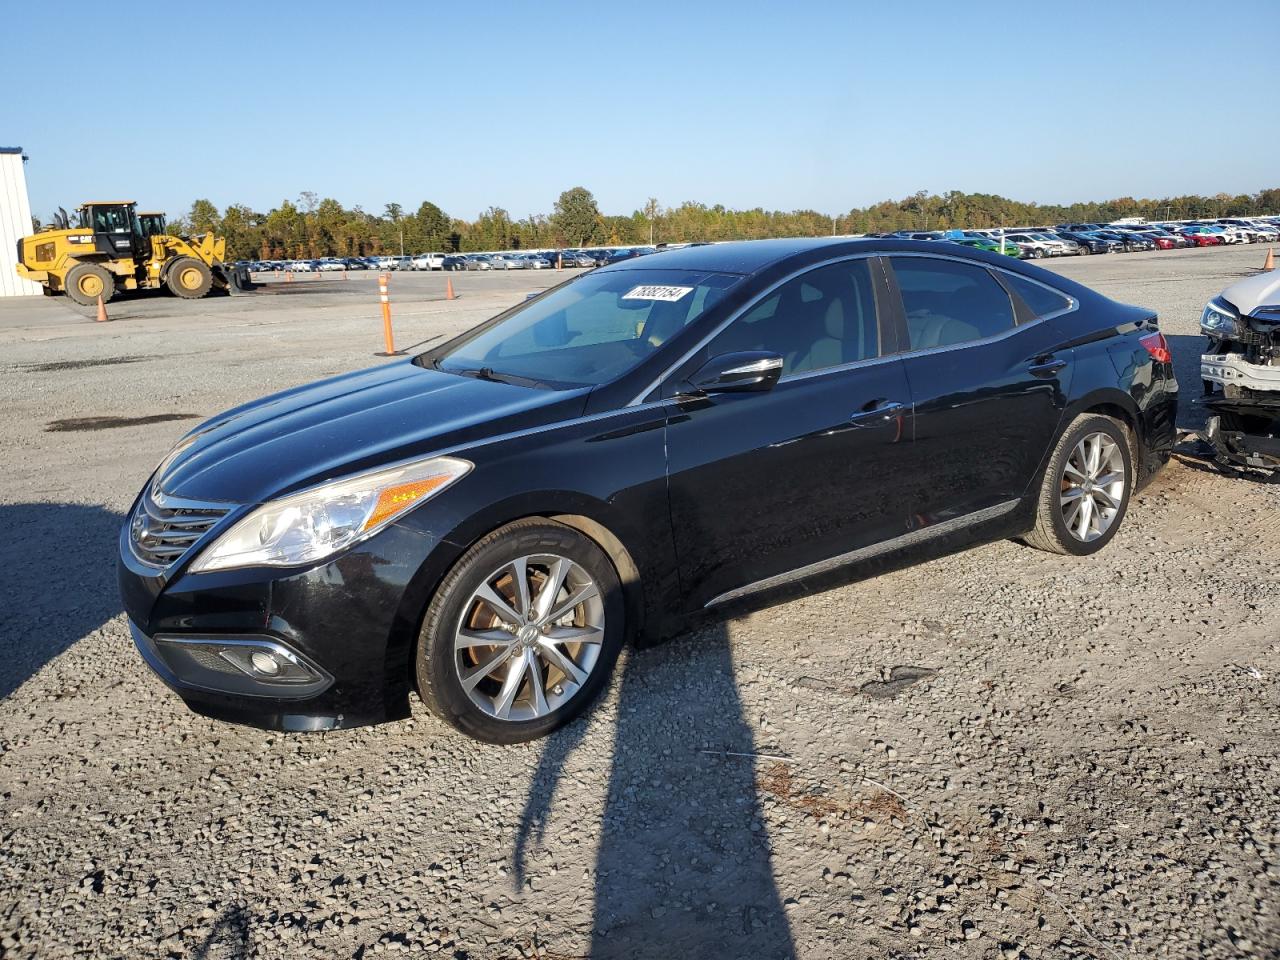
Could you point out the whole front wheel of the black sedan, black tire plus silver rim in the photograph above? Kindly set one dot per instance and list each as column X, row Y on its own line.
column 518, row 688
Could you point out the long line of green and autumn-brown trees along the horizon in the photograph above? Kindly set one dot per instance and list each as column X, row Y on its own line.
column 316, row 227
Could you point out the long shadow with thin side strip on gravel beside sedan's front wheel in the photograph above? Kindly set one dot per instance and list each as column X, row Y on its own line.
column 684, row 866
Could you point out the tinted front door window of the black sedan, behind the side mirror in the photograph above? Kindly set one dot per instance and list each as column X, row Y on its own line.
column 822, row 319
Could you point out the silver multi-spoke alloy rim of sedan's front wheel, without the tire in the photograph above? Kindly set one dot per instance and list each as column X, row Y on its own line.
column 529, row 637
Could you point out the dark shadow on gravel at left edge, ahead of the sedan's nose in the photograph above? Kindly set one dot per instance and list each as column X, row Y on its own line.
column 60, row 568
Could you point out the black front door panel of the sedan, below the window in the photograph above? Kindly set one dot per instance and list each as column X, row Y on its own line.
column 762, row 484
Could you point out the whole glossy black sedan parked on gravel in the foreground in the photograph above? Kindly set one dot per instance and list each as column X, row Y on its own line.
column 696, row 431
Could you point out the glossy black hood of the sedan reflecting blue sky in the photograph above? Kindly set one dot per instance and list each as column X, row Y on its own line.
column 348, row 424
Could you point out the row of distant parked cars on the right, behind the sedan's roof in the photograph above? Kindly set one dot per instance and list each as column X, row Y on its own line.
column 1084, row 239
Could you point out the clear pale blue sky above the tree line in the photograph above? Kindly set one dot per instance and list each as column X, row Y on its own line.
column 824, row 106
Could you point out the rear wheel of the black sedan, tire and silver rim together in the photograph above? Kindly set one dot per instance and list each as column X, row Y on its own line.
column 1090, row 528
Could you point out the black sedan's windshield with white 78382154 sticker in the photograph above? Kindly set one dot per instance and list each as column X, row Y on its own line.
column 587, row 332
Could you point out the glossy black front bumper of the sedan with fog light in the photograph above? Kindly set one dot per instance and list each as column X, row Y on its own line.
column 345, row 629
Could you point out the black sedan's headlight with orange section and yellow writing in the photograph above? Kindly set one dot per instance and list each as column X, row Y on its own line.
column 309, row 527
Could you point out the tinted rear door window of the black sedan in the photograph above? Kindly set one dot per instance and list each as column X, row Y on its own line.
column 950, row 303
